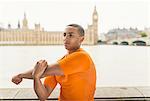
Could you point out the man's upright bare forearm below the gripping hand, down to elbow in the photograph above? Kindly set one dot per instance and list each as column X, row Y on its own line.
column 40, row 90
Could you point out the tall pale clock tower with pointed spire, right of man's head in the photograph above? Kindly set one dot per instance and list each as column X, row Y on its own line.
column 95, row 25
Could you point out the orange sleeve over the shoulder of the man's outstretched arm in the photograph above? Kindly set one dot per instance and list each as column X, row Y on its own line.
column 74, row 63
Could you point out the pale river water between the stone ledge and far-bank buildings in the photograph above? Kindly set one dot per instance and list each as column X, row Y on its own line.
column 115, row 65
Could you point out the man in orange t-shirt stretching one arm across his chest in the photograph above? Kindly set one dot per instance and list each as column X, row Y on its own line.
column 75, row 72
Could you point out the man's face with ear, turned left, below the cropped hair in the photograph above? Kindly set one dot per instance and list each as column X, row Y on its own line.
column 72, row 38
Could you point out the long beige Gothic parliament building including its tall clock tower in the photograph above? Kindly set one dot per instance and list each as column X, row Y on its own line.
column 37, row 36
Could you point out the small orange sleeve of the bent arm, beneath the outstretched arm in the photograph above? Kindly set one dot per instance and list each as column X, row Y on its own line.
column 50, row 81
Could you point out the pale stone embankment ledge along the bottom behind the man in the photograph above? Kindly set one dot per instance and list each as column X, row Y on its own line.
column 101, row 94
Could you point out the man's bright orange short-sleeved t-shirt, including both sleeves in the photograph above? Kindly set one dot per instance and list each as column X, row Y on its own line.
column 79, row 80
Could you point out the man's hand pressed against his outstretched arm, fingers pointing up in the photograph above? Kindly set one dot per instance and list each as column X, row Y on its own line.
column 39, row 69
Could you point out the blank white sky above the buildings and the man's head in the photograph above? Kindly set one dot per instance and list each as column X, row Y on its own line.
column 54, row 15
